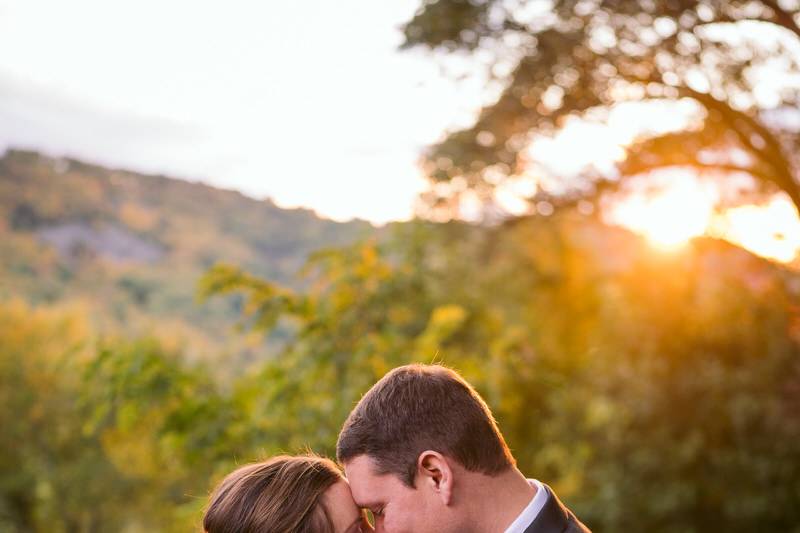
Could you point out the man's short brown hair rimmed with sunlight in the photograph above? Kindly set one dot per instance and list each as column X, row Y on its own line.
column 415, row 408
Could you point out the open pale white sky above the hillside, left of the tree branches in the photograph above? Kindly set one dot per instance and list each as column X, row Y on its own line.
column 308, row 103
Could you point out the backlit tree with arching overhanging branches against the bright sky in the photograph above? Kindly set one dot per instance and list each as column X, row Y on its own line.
column 572, row 56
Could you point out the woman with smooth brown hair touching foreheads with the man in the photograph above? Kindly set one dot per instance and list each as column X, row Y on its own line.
column 303, row 494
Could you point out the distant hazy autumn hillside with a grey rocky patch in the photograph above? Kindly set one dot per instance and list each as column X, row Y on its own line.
column 129, row 248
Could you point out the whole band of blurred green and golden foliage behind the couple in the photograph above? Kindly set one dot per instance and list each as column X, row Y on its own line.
column 655, row 392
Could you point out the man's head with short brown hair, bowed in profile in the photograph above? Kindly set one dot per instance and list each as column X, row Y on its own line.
column 412, row 435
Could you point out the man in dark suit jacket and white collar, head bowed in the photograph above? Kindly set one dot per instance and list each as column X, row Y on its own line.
column 423, row 453
